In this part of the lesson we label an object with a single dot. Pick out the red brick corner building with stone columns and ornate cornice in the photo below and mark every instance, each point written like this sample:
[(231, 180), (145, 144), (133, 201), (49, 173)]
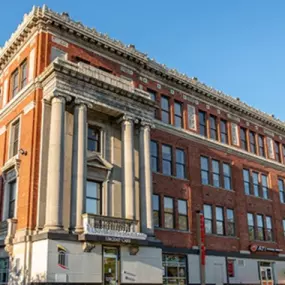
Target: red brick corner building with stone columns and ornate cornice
[(107, 156)]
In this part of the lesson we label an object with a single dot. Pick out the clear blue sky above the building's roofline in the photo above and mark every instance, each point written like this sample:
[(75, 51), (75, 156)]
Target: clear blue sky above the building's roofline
[(237, 46)]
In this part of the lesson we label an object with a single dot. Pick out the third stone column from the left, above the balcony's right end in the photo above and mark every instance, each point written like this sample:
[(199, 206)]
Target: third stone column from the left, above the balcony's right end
[(128, 167)]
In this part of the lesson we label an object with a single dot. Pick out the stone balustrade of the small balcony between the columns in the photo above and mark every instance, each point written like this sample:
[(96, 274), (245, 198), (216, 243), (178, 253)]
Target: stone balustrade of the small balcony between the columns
[(111, 226)]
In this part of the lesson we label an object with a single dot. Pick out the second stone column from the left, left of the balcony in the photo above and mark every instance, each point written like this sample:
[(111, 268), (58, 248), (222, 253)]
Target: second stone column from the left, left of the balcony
[(79, 168)]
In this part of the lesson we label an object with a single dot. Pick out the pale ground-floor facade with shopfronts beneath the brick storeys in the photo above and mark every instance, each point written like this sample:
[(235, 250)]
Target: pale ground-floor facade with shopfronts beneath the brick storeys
[(120, 261)]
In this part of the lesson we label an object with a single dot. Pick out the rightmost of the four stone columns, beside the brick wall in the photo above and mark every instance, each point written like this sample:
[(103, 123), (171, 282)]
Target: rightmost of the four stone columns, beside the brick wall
[(145, 180)]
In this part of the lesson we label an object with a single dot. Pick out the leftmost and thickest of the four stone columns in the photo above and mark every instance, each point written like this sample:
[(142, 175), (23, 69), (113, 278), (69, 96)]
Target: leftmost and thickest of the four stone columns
[(54, 200)]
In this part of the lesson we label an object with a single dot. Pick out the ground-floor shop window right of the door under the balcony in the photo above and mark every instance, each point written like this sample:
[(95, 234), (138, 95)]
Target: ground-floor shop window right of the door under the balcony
[(175, 269)]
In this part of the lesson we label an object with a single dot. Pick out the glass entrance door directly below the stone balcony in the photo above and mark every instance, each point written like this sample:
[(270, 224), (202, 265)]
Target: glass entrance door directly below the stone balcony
[(110, 265)]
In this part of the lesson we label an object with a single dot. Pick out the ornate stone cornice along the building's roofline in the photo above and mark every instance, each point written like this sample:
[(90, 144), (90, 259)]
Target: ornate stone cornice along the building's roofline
[(128, 52)]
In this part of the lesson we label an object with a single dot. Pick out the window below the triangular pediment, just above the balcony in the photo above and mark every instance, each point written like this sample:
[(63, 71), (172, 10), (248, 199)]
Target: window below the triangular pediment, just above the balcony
[(93, 197)]
